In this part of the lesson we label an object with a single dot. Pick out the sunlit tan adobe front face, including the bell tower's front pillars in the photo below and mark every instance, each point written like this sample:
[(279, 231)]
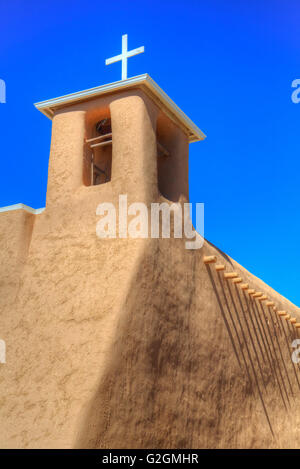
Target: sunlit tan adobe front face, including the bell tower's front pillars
[(63, 288)]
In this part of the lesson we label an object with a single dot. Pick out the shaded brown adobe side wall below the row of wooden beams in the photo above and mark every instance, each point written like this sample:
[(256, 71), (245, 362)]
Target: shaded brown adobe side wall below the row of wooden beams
[(172, 379)]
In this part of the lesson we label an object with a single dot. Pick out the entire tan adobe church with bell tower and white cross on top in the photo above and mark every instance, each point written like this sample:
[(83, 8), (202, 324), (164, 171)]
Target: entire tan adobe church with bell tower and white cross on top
[(134, 343)]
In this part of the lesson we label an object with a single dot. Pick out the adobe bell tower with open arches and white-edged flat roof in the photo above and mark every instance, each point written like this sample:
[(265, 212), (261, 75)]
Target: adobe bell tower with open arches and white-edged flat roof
[(128, 134)]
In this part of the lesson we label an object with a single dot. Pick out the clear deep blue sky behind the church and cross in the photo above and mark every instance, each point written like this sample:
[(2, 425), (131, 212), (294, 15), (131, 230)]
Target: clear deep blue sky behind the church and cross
[(228, 64)]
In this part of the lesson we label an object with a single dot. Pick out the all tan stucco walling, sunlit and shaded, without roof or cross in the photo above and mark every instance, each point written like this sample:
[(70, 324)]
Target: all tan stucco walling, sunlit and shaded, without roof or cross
[(120, 342)]
